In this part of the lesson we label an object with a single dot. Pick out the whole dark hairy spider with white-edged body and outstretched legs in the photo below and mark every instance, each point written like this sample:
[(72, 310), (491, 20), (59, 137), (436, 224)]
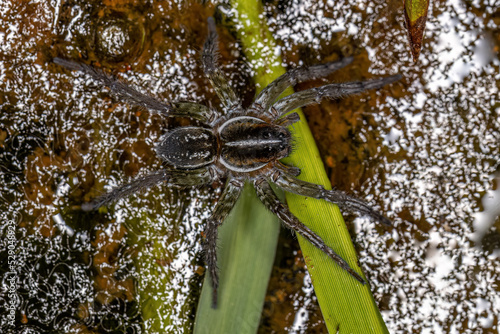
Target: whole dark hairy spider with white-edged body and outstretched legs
[(238, 145)]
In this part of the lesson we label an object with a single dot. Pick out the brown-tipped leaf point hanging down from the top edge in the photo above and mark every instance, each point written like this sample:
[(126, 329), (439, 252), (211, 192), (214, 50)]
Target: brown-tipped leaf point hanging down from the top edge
[(415, 13)]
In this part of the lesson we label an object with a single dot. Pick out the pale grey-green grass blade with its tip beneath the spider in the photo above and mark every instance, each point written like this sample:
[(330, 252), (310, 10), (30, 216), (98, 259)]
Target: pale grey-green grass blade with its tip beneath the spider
[(247, 247)]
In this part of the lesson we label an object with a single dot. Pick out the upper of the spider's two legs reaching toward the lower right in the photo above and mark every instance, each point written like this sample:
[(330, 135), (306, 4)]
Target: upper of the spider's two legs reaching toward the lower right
[(344, 201)]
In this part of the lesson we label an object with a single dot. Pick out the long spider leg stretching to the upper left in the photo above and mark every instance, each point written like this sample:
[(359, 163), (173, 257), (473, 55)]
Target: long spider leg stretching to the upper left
[(134, 97)]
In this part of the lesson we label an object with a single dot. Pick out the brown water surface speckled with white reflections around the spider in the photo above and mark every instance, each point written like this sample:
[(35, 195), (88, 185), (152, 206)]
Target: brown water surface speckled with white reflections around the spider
[(426, 151)]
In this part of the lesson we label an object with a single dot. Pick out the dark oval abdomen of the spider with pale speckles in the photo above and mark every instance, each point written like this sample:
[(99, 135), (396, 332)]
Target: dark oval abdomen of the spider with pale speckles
[(188, 147)]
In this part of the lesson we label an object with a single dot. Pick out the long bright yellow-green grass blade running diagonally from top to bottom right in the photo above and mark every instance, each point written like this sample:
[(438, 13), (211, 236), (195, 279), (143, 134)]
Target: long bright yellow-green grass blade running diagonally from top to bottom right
[(347, 306)]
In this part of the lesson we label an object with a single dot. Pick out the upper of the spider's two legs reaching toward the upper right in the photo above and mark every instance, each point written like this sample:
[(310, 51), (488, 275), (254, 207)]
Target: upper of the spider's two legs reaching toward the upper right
[(268, 95)]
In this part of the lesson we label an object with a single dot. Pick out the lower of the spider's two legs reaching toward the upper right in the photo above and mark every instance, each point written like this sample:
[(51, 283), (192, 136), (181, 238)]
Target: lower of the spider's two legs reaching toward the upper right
[(332, 91)]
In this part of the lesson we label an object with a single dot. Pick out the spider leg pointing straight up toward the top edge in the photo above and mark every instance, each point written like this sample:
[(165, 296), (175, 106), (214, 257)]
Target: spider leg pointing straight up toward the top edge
[(209, 58)]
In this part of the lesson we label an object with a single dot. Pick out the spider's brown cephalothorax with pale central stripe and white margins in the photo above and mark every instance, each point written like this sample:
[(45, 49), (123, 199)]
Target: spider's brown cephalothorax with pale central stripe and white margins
[(249, 143)]
